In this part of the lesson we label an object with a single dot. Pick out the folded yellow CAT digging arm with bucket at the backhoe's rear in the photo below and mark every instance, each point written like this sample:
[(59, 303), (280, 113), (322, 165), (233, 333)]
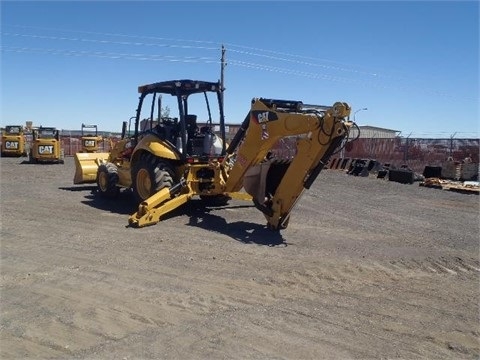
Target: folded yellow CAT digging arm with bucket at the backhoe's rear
[(276, 183)]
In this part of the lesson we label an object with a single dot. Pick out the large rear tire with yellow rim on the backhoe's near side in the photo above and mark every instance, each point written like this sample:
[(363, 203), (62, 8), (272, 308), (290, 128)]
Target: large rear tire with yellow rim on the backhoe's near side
[(150, 175)]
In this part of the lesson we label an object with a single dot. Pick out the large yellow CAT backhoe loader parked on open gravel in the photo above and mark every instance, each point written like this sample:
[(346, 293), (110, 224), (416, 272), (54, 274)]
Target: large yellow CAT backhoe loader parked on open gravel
[(169, 160)]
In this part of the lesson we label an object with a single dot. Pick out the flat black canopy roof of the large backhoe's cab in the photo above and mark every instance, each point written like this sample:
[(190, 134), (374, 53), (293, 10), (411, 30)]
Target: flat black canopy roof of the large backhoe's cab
[(184, 87)]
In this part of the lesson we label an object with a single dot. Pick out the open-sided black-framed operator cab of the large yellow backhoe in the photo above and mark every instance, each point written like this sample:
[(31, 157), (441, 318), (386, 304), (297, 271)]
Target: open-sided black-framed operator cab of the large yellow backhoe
[(190, 103)]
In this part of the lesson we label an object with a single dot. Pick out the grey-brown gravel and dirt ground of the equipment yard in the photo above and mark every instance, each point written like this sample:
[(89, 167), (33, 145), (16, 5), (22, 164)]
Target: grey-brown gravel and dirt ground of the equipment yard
[(367, 269)]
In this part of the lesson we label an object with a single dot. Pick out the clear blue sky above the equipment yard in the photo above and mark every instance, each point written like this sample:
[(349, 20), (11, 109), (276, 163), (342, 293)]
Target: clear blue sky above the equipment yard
[(413, 65)]
